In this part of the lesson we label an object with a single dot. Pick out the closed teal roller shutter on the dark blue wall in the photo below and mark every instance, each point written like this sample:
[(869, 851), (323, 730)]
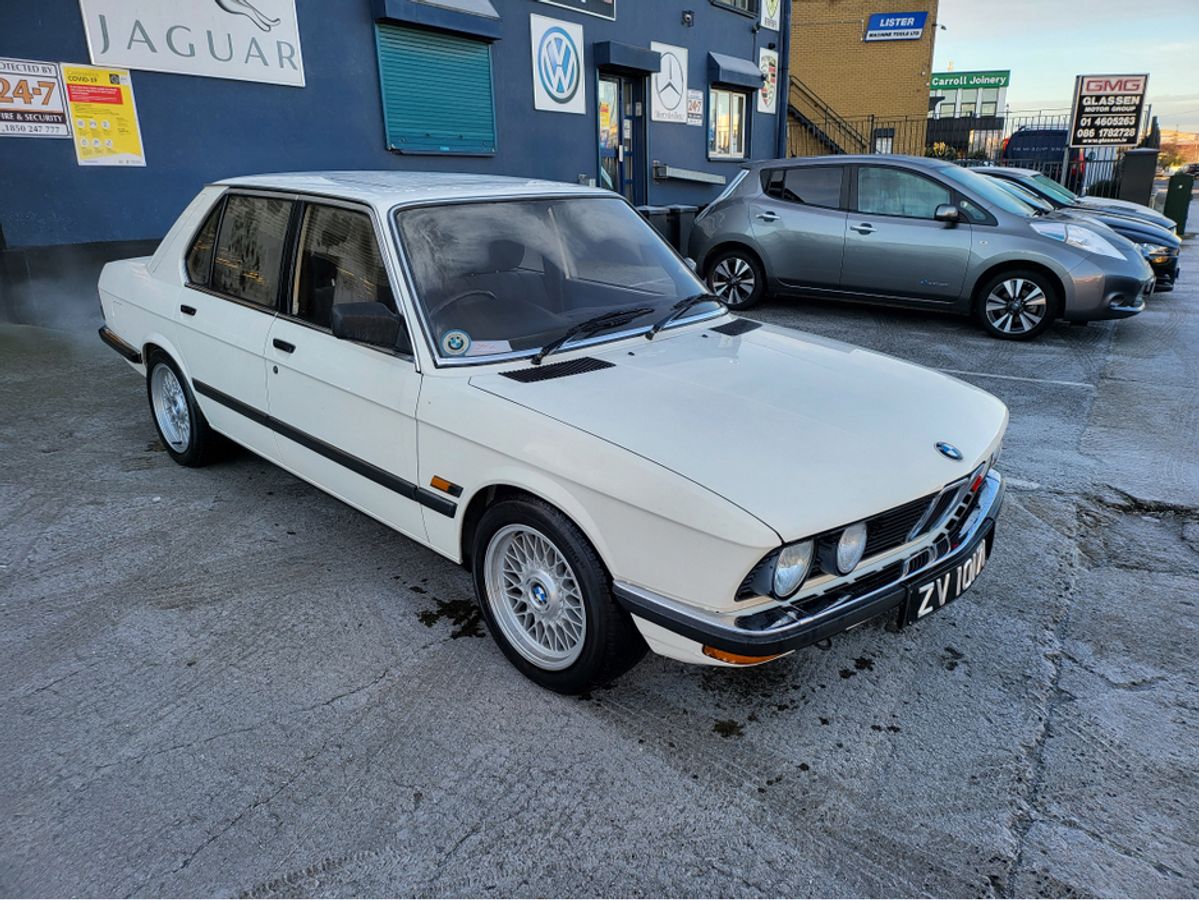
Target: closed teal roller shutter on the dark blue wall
[(437, 92)]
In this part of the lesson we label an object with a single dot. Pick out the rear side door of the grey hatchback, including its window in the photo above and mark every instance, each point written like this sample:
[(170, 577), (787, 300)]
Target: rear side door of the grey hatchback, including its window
[(799, 221)]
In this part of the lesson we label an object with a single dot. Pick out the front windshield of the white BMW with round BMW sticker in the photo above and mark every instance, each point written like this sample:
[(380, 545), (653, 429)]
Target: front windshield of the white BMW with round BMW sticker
[(513, 276)]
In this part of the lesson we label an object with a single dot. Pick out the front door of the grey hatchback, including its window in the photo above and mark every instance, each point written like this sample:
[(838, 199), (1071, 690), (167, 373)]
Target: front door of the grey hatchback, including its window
[(895, 246)]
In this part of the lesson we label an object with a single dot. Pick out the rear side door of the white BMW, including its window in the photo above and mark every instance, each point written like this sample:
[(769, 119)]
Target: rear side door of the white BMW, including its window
[(226, 309)]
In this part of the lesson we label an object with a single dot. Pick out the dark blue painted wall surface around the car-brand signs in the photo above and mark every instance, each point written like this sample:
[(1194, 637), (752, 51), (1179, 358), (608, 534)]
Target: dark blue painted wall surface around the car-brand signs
[(198, 130)]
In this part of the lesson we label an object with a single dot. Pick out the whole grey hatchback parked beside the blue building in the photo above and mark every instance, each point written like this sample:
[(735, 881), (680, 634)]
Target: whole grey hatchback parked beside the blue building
[(911, 232)]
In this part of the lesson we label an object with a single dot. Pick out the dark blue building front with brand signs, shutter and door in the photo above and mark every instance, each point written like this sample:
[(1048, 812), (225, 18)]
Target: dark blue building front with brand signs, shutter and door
[(660, 101)]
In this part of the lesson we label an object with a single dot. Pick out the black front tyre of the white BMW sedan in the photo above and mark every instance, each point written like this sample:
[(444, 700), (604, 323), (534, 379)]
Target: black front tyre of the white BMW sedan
[(611, 643)]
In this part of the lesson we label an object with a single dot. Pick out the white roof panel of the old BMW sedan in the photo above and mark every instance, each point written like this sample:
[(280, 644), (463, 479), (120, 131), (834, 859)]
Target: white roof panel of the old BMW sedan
[(390, 188)]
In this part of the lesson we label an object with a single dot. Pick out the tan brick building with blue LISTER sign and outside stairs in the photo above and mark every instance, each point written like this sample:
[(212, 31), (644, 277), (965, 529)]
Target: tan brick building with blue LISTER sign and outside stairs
[(860, 76)]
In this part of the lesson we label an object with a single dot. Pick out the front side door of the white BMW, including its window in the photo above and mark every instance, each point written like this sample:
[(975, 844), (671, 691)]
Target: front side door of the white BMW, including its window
[(345, 413)]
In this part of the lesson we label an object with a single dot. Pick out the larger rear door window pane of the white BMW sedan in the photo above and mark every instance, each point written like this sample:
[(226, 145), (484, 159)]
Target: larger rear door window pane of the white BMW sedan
[(251, 249)]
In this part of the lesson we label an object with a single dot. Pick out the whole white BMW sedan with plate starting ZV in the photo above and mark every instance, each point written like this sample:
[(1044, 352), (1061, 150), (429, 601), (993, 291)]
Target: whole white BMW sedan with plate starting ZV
[(525, 377)]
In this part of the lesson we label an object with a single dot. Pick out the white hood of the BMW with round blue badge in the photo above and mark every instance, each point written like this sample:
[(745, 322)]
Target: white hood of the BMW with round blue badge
[(804, 433)]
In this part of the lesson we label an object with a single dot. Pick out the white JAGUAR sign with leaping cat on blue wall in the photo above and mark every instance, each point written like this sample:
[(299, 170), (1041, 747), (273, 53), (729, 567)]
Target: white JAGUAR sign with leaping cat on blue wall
[(245, 40)]
